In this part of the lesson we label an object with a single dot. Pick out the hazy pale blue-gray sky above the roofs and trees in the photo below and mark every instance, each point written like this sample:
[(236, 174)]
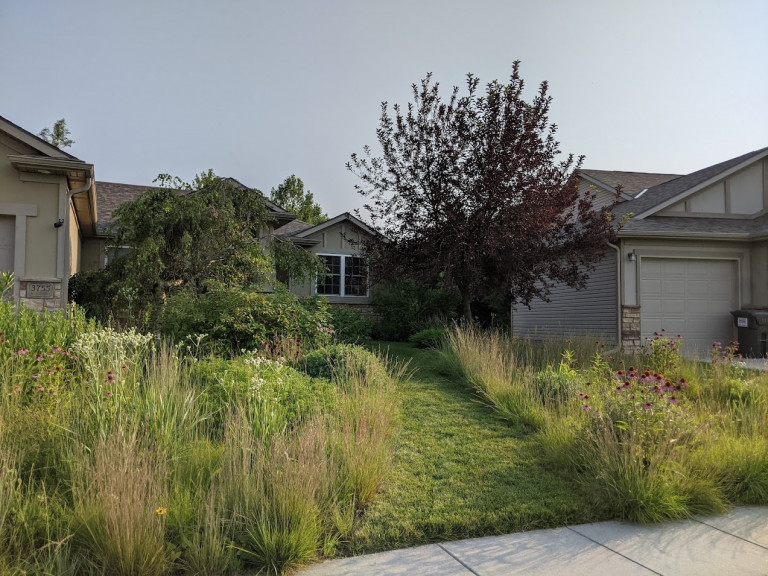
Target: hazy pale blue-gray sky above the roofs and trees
[(259, 90)]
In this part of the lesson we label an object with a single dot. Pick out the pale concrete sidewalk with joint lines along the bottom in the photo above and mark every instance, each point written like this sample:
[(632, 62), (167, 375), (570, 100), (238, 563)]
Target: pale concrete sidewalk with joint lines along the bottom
[(735, 543)]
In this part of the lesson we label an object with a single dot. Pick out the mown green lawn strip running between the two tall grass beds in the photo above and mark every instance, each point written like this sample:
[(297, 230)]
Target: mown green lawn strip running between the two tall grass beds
[(459, 470)]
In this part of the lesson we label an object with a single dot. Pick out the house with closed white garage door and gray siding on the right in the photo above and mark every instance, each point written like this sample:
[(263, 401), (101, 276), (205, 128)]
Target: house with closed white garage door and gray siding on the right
[(693, 248)]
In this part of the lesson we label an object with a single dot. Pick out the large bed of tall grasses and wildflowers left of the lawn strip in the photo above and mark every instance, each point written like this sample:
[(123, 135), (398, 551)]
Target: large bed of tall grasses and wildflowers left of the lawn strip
[(121, 455)]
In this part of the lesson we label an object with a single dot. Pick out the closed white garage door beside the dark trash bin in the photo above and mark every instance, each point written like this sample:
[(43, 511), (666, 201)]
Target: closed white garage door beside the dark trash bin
[(691, 297)]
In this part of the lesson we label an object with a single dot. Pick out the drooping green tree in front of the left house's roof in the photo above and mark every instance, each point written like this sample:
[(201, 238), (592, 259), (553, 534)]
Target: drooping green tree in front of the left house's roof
[(212, 233)]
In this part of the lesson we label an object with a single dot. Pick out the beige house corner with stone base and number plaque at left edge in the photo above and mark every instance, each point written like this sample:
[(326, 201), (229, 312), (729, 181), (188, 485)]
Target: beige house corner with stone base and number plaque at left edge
[(48, 207)]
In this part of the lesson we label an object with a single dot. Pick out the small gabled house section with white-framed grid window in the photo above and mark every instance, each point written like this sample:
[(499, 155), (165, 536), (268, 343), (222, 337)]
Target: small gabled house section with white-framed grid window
[(338, 242)]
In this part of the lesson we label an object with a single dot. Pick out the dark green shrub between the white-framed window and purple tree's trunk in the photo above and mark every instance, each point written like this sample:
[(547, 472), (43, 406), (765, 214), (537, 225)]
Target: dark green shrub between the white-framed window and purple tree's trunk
[(404, 307)]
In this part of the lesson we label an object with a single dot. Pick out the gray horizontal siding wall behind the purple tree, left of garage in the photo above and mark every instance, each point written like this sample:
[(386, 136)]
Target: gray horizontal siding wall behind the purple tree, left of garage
[(591, 311)]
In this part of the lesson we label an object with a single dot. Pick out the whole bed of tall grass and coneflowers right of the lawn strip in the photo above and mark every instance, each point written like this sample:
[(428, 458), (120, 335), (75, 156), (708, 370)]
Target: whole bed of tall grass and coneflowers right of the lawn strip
[(642, 445)]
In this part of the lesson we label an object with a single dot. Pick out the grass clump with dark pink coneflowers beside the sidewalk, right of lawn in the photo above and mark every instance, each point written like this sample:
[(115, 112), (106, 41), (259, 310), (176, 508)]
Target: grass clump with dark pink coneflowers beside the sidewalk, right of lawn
[(628, 441)]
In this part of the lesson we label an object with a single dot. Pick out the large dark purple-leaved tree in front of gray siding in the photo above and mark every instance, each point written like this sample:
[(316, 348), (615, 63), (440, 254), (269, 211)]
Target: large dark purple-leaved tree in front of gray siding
[(471, 192)]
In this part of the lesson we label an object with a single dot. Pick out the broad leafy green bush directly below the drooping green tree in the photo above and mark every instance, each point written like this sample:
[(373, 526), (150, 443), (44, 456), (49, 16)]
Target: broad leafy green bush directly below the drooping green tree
[(236, 320)]
